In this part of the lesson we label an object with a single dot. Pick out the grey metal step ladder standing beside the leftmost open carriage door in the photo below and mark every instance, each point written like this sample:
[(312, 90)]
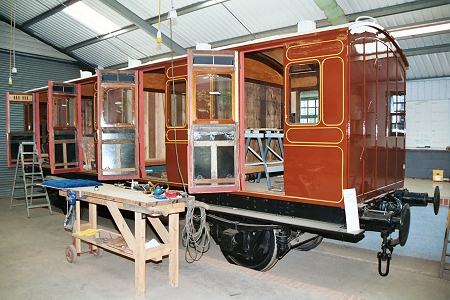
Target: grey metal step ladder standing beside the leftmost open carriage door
[(34, 194)]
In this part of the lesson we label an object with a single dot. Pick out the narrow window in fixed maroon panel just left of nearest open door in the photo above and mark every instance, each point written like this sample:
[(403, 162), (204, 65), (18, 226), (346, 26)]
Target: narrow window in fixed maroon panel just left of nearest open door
[(176, 104)]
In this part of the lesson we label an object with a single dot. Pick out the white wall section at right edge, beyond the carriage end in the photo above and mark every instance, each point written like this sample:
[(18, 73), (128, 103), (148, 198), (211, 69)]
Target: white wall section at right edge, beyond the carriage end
[(428, 113)]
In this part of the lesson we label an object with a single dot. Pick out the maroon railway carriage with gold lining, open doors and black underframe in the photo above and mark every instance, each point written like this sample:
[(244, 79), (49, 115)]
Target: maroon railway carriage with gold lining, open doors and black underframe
[(268, 133)]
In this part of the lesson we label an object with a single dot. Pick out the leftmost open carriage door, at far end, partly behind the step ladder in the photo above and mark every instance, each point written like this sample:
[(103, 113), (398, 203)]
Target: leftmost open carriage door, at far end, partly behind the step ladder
[(19, 129)]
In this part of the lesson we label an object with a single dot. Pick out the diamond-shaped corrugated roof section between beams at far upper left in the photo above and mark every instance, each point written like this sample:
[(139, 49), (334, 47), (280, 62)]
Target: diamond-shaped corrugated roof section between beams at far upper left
[(62, 30)]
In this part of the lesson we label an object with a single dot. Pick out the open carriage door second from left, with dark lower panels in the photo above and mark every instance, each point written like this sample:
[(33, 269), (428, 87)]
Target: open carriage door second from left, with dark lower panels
[(64, 128)]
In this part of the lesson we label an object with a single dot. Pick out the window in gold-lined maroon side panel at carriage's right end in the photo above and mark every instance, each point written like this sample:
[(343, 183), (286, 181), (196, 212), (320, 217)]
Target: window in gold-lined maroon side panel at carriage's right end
[(304, 106)]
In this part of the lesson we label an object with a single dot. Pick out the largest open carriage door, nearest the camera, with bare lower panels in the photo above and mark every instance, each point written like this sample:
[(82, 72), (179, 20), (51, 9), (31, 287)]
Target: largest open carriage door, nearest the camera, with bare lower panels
[(213, 128)]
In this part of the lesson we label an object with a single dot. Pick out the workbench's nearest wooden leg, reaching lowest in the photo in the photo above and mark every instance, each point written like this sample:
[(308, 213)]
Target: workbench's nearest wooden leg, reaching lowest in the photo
[(139, 253)]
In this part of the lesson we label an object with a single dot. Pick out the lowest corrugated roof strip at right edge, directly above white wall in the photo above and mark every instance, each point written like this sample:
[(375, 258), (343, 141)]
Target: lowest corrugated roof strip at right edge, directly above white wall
[(429, 65)]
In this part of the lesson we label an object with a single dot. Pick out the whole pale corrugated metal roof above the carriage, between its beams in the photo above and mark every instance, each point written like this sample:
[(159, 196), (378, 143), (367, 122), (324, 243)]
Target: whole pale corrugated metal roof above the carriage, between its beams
[(219, 22)]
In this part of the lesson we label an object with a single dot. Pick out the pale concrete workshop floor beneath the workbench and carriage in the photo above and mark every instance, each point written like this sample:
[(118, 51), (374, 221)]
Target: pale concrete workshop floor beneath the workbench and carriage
[(33, 266)]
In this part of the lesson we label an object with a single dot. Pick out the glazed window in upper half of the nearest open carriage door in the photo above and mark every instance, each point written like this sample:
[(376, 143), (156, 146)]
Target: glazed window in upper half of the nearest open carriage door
[(213, 97)]
